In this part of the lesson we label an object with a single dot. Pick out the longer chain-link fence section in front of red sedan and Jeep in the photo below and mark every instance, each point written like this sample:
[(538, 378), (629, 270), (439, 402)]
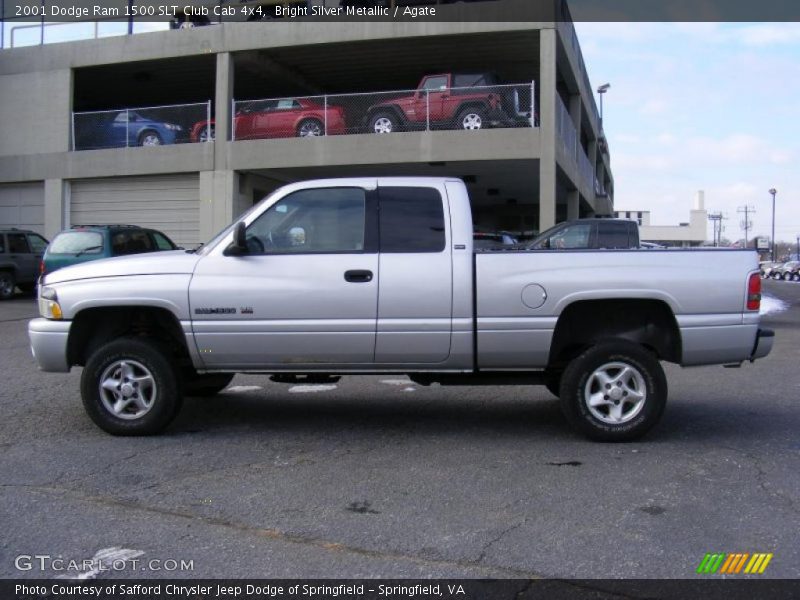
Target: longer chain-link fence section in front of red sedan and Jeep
[(469, 108)]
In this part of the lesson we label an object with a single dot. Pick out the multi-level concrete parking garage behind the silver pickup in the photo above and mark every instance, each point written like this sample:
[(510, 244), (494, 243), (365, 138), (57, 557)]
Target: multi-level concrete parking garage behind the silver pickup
[(54, 97)]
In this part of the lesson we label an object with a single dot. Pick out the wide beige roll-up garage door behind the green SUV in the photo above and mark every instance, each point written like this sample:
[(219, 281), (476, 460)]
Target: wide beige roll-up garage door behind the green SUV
[(169, 203)]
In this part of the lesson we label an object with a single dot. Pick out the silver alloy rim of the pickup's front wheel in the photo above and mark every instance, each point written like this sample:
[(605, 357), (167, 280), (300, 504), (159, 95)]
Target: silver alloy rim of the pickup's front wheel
[(127, 389)]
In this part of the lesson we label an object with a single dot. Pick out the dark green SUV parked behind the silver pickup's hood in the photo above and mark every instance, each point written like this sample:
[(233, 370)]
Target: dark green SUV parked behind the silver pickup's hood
[(84, 243)]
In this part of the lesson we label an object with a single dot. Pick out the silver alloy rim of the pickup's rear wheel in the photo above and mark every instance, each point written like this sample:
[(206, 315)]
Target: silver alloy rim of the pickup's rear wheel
[(615, 393)]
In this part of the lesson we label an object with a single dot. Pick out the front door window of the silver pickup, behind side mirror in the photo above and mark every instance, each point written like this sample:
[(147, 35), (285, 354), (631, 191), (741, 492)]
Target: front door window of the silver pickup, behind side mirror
[(325, 220)]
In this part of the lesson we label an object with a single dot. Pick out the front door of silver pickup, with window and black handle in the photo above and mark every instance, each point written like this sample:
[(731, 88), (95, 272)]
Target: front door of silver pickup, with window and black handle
[(305, 295)]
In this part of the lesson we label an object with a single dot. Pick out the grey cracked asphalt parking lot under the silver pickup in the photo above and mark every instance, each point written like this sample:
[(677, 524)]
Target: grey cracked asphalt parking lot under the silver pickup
[(383, 478)]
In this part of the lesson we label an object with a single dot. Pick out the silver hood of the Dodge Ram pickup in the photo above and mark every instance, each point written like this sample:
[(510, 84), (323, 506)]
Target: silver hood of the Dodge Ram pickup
[(152, 263)]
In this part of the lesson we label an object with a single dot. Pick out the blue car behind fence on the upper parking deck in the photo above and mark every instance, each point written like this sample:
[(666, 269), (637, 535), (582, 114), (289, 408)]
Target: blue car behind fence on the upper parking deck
[(126, 128)]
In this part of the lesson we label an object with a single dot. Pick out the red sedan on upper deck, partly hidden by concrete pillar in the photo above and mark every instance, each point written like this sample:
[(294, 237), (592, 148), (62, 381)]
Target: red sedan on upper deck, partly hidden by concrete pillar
[(287, 117)]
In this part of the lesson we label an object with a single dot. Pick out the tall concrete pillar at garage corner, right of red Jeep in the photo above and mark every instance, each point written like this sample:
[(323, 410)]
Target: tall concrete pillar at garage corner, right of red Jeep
[(547, 128)]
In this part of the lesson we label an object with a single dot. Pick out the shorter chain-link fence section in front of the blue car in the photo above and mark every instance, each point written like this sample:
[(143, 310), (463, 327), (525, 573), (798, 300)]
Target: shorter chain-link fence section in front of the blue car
[(145, 126)]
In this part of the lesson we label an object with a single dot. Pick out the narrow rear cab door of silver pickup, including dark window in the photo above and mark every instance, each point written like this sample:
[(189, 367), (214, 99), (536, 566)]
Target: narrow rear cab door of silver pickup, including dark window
[(415, 301)]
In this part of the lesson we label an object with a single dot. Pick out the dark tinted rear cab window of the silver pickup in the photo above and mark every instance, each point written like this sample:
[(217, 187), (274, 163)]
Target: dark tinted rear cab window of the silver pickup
[(411, 220)]
